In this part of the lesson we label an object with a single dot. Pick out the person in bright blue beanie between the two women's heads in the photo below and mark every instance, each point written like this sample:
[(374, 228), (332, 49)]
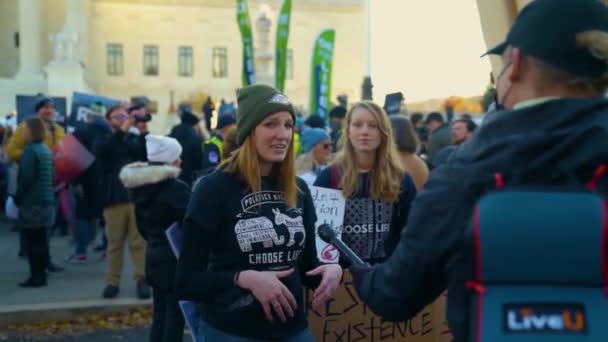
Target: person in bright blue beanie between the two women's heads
[(318, 150)]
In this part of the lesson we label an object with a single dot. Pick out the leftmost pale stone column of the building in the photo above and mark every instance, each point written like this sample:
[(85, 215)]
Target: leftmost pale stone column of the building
[(30, 49)]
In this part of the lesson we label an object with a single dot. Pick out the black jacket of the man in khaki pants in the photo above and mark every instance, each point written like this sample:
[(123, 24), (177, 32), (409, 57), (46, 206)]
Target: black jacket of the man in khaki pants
[(112, 152)]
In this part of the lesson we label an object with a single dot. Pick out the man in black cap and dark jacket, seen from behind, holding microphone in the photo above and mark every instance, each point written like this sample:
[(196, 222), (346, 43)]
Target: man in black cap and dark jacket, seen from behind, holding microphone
[(550, 134)]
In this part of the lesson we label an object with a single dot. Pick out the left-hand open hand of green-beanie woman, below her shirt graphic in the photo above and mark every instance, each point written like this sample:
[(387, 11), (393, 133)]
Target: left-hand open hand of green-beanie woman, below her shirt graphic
[(268, 289)]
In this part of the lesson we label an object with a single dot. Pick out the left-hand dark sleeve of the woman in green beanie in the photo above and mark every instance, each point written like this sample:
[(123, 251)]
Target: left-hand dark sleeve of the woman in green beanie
[(193, 280)]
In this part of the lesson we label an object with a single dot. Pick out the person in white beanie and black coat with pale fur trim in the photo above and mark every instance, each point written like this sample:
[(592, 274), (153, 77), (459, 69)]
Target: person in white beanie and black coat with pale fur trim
[(160, 200)]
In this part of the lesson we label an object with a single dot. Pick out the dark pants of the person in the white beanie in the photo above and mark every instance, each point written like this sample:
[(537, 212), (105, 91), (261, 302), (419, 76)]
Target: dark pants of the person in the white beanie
[(168, 321)]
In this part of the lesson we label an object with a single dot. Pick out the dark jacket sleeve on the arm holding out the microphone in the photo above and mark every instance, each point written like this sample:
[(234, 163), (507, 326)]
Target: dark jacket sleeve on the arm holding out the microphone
[(413, 276)]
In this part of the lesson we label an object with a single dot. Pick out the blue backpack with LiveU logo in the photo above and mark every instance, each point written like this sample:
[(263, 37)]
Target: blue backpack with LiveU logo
[(538, 265)]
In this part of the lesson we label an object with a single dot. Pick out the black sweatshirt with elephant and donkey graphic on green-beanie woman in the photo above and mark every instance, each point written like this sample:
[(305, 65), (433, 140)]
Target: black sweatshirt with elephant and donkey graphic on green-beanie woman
[(229, 229)]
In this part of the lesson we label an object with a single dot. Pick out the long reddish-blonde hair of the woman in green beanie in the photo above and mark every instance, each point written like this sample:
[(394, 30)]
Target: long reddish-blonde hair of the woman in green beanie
[(245, 164)]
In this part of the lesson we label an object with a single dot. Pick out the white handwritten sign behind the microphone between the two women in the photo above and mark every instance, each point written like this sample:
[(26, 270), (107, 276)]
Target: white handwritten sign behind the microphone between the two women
[(329, 205)]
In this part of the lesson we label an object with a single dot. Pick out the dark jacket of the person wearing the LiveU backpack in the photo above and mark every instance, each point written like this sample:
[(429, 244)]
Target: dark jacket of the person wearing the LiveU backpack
[(548, 144)]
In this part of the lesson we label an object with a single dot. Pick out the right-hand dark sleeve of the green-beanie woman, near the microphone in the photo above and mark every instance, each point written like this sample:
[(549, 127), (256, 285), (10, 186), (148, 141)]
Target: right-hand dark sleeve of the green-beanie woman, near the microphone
[(310, 260)]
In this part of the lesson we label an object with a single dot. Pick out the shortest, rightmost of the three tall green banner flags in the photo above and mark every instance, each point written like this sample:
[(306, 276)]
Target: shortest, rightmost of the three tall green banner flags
[(322, 62)]
